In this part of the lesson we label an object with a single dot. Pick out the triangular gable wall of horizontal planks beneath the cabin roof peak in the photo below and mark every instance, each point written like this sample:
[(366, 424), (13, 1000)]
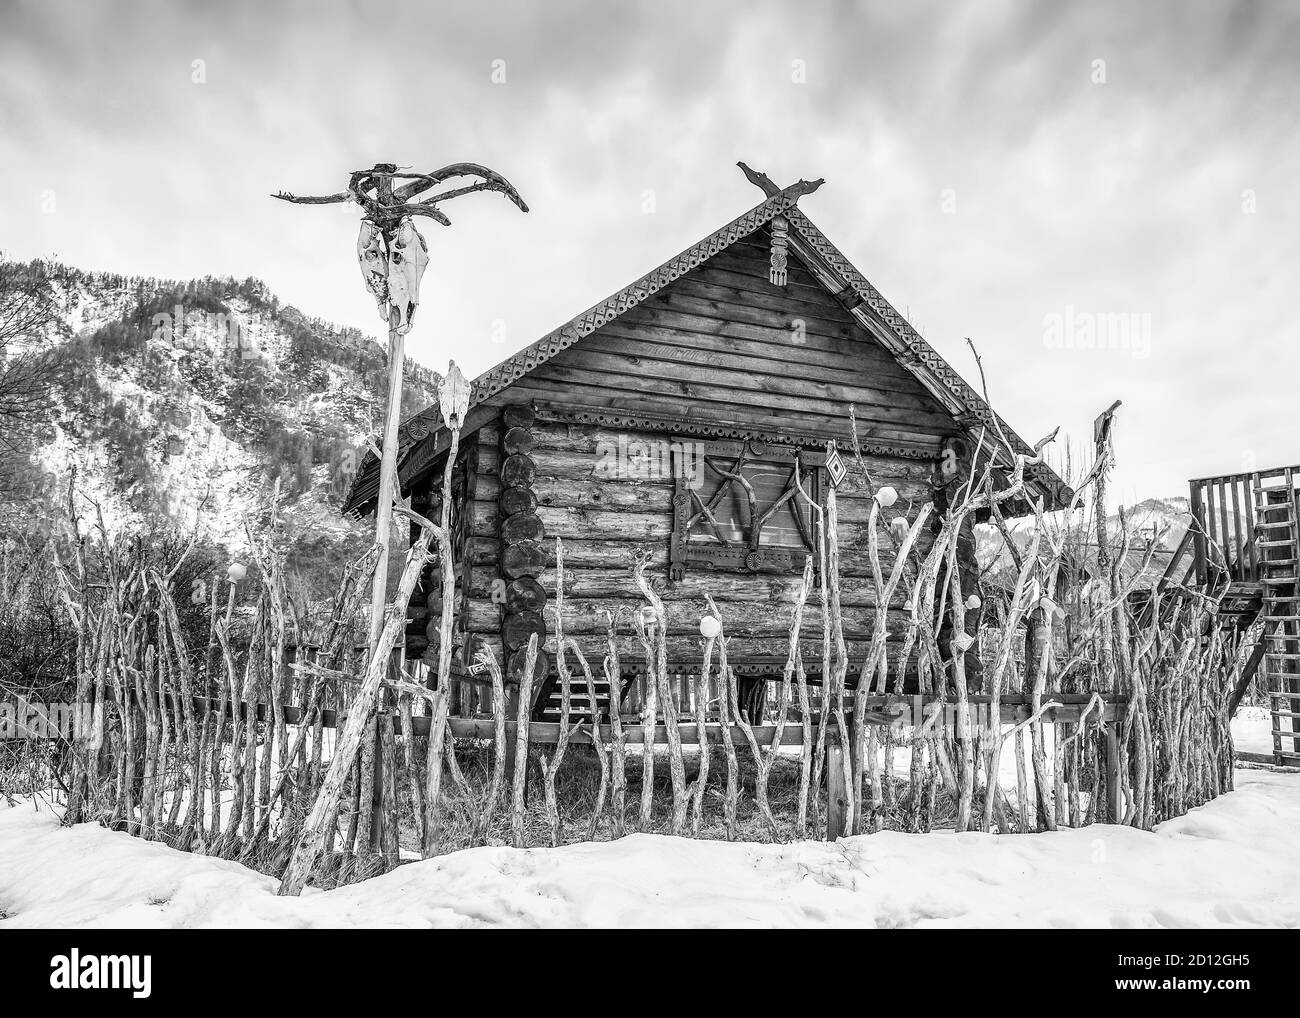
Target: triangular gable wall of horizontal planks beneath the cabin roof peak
[(725, 344)]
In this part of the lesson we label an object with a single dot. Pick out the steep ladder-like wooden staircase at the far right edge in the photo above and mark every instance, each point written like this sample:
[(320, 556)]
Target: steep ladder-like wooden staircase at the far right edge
[(1279, 543)]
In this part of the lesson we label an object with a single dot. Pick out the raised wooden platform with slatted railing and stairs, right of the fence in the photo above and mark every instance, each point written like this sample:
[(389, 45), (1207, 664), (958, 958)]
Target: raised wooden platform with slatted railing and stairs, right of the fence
[(1243, 536)]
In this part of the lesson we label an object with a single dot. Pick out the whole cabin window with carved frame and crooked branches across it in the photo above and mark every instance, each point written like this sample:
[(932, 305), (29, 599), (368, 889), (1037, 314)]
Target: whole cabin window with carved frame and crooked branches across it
[(738, 508)]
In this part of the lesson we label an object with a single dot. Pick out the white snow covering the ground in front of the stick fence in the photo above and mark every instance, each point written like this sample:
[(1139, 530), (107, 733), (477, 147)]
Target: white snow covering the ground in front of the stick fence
[(1234, 863)]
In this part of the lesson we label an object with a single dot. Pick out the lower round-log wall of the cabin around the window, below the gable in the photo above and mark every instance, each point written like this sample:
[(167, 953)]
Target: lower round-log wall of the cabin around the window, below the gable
[(606, 522)]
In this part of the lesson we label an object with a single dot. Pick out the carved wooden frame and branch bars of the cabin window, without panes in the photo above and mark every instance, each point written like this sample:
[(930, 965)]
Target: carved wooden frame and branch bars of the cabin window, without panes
[(748, 555)]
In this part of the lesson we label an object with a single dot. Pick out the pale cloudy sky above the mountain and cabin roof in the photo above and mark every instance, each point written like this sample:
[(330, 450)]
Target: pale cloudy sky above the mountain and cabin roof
[(1000, 171)]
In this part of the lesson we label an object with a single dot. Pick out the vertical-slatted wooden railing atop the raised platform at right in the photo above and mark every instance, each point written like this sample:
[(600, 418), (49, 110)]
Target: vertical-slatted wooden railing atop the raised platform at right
[(1224, 512)]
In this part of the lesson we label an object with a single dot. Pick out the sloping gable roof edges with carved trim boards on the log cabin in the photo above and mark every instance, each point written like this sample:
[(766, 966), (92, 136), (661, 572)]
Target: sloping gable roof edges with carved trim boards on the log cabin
[(827, 265)]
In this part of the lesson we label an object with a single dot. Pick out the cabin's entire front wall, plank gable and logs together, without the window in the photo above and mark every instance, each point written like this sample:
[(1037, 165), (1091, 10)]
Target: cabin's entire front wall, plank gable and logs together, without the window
[(720, 354)]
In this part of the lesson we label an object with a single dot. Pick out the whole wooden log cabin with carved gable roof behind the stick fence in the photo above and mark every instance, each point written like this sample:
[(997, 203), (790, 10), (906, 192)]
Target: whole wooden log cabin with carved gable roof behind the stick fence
[(673, 421)]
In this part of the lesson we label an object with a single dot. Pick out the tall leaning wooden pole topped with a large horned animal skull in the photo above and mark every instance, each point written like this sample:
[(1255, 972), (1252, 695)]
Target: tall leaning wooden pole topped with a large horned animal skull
[(393, 258)]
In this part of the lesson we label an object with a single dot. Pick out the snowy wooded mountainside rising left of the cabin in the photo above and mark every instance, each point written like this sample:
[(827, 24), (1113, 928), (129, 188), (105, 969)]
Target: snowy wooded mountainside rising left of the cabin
[(189, 401)]
